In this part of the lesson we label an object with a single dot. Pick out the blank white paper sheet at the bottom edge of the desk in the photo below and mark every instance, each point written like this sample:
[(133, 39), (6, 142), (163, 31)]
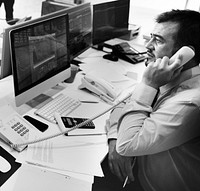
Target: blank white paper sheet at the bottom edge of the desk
[(35, 179)]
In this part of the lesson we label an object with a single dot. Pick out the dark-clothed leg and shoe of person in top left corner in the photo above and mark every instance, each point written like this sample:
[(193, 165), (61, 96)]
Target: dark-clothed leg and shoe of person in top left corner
[(8, 4)]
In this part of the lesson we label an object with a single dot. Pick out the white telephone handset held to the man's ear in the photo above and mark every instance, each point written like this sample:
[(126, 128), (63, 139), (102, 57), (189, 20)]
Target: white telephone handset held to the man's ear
[(187, 54)]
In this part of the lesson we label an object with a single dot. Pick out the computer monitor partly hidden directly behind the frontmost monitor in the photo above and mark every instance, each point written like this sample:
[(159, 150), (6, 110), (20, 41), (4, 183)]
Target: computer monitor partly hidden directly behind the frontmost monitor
[(80, 35)]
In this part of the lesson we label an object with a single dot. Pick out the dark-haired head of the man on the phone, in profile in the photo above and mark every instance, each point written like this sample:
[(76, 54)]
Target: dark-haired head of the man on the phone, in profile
[(173, 30)]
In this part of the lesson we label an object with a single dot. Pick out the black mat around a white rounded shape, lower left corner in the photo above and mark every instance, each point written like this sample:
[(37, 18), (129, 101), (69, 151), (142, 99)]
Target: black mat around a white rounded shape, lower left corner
[(14, 166)]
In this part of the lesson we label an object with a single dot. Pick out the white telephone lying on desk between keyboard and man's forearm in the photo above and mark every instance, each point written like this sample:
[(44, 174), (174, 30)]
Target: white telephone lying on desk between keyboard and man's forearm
[(100, 87)]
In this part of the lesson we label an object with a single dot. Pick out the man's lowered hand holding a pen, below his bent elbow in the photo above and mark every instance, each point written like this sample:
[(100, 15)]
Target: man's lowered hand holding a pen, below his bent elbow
[(119, 165)]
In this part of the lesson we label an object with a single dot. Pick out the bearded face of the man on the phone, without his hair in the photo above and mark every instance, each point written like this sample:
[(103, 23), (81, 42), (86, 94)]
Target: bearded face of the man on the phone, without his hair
[(162, 42)]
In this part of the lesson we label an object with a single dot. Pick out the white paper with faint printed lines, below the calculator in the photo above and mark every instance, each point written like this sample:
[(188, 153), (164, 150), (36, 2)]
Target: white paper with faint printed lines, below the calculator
[(64, 154)]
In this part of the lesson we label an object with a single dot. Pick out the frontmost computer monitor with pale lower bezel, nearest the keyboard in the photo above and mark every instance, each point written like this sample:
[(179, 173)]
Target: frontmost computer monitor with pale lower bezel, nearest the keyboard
[(40, 57)]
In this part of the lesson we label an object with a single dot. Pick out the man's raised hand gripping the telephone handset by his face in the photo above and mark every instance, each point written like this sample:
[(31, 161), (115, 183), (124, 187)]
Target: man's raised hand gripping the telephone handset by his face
[(159, 73)]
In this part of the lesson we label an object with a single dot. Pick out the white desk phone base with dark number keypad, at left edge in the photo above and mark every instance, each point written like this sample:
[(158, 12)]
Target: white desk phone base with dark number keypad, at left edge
[(13, 128)]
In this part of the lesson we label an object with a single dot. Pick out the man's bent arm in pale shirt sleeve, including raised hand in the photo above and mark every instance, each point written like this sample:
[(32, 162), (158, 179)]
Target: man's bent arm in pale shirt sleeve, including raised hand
[(143, 131)]
